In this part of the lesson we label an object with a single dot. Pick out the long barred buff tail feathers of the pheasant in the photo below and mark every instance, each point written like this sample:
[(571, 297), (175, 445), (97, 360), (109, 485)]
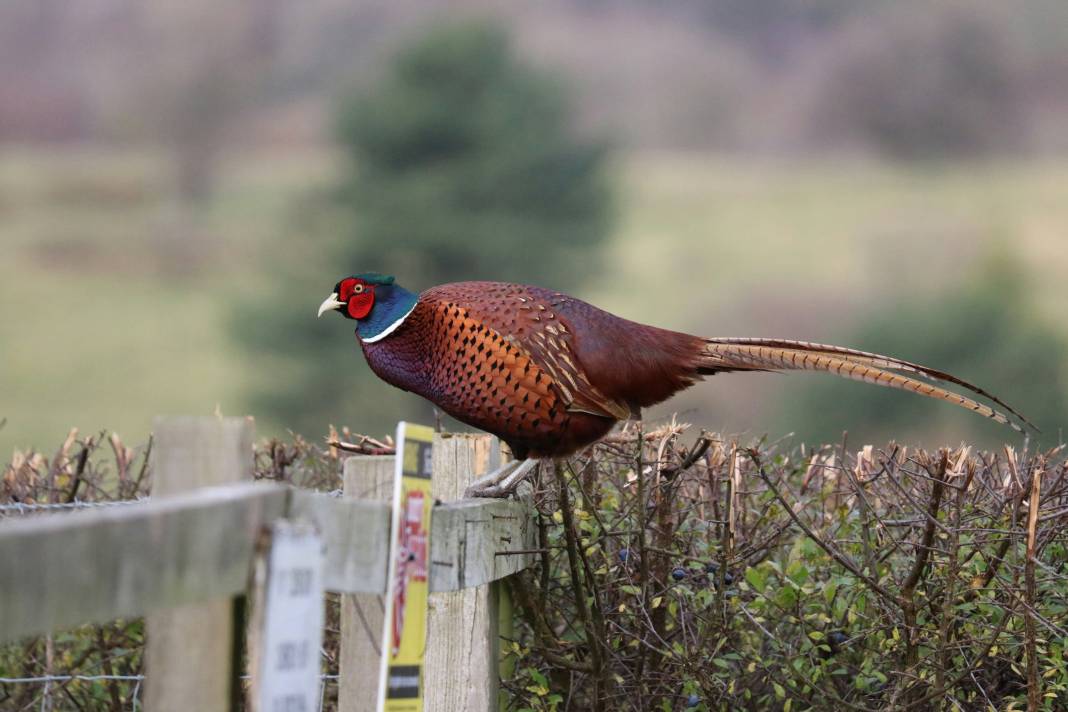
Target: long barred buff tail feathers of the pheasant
[(787, 355)]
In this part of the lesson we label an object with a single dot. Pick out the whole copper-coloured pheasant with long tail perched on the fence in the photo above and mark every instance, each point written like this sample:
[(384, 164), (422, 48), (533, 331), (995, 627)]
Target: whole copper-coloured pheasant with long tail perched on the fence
[(551, 374)]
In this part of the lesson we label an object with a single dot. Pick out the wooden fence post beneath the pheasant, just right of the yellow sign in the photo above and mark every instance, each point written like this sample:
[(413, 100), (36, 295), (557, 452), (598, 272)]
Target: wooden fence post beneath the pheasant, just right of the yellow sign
[(462, 639)]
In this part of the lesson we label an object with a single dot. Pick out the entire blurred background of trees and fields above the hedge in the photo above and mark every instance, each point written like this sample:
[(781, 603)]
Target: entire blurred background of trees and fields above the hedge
[(181, 184)]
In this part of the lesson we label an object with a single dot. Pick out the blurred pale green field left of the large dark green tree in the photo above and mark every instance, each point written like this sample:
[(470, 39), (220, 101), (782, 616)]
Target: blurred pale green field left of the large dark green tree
[(125, 324)]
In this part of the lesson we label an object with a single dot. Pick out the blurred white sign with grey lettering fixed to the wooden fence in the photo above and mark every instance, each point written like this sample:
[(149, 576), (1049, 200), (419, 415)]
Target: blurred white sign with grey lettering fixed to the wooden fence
[(291, 623)]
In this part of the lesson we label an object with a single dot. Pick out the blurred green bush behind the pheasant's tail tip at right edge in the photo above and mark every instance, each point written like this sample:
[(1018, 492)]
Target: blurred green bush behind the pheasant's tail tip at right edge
[(985, 331)]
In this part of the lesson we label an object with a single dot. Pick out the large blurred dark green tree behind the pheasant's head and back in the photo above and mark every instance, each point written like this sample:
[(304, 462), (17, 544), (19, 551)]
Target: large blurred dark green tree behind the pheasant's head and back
[(462, 167)]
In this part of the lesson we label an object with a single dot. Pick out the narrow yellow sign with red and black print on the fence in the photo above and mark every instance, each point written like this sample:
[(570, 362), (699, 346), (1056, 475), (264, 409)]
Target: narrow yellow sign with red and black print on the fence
[(404, 639)]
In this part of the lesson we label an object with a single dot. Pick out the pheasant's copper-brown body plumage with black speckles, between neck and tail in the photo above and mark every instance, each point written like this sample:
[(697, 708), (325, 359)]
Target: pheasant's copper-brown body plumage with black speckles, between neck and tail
[(502, 358)]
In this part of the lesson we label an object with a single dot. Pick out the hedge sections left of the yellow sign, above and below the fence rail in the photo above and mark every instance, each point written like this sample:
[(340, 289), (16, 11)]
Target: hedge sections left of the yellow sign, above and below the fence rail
[(100, 668)]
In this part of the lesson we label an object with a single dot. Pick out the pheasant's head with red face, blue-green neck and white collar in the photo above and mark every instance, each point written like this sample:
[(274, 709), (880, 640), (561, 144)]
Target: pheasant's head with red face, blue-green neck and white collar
[(374, 302)]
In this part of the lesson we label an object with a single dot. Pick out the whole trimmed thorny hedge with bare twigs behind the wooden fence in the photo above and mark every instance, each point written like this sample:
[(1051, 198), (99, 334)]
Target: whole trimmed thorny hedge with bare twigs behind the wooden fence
[(720, 576)]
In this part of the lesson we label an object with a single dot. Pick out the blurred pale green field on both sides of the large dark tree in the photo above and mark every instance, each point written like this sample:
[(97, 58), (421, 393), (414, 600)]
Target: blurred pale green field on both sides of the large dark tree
[(130, 296)]
